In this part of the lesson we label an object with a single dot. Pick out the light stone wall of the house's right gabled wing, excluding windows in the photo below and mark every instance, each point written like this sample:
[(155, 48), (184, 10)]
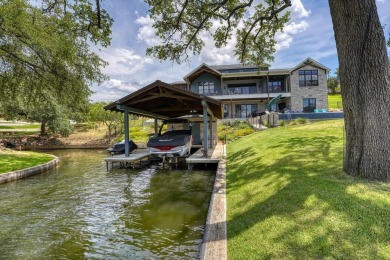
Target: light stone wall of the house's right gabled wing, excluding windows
[(320, 92)]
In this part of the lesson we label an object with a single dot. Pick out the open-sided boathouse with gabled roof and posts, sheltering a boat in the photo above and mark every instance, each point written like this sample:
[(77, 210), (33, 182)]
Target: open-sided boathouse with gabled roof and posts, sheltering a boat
[(162, 101)]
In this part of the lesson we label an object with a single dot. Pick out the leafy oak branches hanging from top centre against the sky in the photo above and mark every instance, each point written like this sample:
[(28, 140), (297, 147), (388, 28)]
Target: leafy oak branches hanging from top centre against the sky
[(180, 26)]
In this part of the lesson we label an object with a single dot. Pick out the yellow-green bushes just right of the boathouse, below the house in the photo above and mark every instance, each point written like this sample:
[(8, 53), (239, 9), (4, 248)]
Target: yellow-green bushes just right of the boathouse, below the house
[(233, 130)]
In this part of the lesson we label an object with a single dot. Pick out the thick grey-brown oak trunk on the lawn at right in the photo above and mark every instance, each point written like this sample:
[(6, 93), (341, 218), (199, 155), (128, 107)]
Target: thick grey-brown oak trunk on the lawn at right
[(365, 79)]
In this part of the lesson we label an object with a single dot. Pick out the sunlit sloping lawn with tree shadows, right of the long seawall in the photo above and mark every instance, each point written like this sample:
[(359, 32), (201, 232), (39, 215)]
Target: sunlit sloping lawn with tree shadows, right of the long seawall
[(288, 198)]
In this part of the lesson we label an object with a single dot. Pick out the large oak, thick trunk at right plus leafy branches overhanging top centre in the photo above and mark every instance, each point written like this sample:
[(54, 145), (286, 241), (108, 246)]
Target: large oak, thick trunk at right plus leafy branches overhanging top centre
[(364, 71)]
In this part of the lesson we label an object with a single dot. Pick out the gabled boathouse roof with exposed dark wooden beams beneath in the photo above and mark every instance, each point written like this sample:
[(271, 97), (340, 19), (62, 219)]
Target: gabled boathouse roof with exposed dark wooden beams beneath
[(161, 100)]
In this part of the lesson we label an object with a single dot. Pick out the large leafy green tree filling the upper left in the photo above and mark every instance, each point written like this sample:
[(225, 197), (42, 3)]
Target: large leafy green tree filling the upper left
[(46, 65)]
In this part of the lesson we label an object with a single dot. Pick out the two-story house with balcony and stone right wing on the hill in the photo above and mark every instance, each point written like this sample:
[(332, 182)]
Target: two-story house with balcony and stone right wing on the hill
[(246, 89)]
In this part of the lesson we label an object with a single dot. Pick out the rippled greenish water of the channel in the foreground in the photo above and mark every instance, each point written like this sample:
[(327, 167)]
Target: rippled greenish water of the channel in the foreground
[(80, 210)]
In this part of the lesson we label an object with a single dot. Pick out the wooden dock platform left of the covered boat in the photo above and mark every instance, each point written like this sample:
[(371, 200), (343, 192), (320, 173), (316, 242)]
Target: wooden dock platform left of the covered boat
[(135, 159)]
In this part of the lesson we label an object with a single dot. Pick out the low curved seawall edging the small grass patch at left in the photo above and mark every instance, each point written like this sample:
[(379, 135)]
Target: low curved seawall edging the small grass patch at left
[(24, 173)]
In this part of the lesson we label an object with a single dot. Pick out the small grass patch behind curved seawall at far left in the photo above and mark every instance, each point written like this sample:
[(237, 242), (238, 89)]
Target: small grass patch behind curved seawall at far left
[(14, 160)]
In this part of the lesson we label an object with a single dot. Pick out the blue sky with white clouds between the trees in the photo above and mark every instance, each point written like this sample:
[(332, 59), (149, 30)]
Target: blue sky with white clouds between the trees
[(309, 33)]
